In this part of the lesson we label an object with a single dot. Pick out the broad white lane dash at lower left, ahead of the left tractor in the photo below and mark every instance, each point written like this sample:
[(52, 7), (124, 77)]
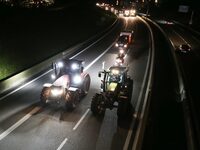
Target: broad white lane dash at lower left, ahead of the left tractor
[(18, 123)]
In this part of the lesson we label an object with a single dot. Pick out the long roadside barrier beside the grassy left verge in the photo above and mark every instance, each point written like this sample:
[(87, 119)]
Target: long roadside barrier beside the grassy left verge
[(20, 78)]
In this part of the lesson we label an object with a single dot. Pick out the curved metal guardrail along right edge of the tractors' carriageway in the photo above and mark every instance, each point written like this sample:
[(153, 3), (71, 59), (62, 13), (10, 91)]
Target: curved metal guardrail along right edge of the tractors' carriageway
[(144, 107)]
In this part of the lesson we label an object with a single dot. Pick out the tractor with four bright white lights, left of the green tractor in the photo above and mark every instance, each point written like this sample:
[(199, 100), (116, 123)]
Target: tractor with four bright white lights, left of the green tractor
[(70, 83)]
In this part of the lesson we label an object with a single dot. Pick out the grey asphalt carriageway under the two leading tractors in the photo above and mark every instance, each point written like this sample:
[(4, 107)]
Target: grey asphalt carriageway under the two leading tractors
[(53, 127)]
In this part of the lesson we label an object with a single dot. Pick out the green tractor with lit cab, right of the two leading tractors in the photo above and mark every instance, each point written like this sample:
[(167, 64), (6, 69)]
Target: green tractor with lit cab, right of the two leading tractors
[(117, 87)]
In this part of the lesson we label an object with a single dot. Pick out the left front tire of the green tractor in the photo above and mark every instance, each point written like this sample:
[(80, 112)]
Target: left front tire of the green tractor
[(98, 105)]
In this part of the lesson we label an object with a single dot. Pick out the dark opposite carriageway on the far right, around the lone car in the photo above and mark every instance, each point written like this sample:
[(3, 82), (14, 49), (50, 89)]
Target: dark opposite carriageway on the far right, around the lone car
[(189, 64)]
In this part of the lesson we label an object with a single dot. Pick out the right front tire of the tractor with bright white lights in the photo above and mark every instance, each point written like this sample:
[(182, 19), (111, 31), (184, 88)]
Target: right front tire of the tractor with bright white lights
[(71, 99)]
